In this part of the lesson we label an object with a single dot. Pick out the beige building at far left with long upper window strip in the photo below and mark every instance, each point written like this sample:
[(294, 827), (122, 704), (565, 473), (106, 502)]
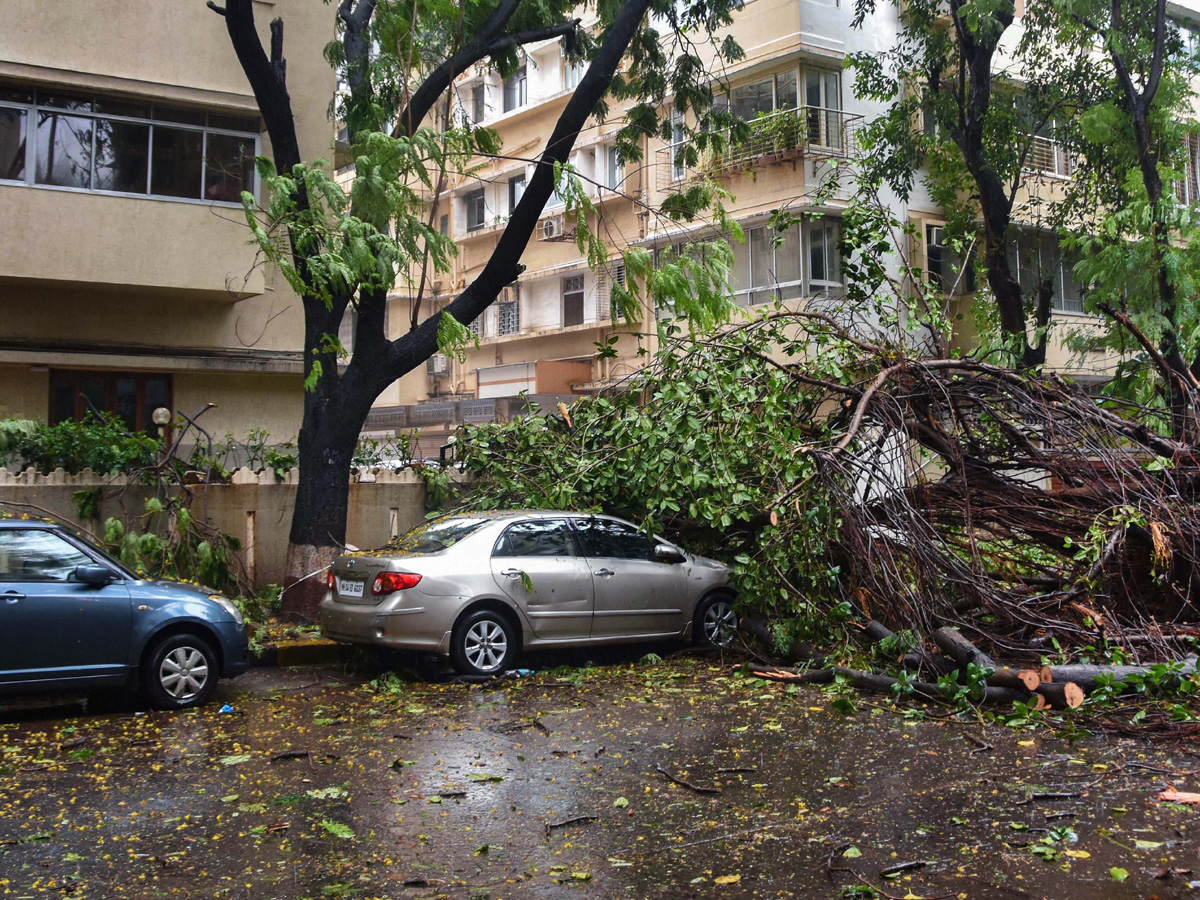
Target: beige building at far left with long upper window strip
[(128, 280)]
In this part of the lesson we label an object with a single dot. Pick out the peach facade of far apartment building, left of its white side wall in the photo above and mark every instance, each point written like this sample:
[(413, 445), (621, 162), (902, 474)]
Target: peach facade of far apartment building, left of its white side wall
[(539, 343)]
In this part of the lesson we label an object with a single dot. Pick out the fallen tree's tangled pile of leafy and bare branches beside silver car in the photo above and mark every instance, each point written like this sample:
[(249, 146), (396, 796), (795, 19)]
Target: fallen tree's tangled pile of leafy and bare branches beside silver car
[(853, 477)]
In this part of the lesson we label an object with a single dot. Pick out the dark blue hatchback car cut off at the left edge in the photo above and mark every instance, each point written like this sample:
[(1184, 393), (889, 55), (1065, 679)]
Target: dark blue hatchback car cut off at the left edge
[(73, 617)]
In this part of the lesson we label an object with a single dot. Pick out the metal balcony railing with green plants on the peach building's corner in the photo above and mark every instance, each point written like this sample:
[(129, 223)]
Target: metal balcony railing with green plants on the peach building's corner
[(814, 133)]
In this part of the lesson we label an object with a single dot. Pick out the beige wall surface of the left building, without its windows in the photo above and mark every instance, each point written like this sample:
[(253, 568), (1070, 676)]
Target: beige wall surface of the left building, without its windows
[(104, 281)]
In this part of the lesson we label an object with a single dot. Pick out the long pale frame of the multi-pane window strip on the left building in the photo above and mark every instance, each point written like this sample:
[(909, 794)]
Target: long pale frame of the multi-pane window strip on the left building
[(33, 109)]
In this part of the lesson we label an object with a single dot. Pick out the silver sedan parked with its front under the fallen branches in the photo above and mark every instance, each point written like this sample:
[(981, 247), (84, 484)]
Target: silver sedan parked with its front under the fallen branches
[(482, 587)]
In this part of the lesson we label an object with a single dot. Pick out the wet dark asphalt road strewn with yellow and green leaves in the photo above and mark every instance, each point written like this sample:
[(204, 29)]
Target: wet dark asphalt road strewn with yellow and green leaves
[(317, 787)]
